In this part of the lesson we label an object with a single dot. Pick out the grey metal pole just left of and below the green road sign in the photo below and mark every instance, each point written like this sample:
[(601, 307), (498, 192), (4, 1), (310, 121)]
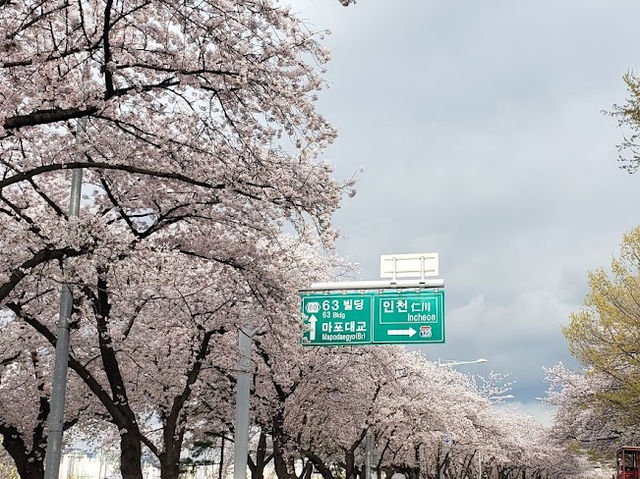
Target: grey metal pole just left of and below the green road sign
[(241, 439)]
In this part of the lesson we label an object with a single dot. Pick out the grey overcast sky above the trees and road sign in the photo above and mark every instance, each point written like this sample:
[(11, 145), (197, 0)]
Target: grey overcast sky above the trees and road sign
[(479, 125)]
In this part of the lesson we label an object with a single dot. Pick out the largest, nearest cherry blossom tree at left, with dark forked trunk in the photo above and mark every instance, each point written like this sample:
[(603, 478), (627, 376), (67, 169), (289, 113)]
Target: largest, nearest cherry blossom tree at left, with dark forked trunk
[(199, 142)]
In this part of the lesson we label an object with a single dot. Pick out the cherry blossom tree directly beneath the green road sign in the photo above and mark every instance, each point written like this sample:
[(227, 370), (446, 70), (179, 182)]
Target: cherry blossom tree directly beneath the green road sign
[(335, 408)]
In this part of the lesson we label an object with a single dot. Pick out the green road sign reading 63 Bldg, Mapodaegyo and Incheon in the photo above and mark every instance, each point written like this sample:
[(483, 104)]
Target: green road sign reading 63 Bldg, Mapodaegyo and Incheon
[(392, 317)]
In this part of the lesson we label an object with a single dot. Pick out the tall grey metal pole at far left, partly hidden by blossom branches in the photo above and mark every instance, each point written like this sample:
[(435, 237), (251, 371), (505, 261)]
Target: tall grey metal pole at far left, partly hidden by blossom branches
[(59, 385)]
